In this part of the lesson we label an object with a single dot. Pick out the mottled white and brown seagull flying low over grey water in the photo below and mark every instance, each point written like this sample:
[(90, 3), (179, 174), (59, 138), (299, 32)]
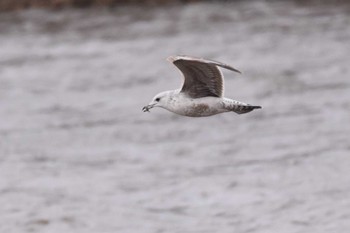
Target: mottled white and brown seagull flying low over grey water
[(201, 94)]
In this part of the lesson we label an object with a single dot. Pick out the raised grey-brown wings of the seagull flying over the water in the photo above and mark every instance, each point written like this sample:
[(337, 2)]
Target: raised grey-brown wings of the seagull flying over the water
[(201, 77)]
